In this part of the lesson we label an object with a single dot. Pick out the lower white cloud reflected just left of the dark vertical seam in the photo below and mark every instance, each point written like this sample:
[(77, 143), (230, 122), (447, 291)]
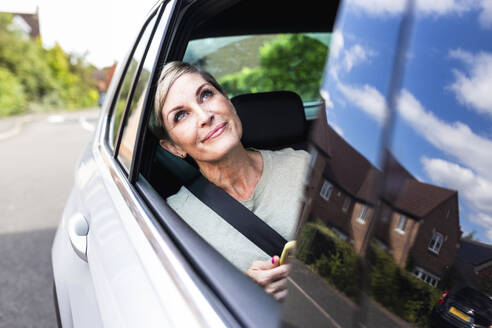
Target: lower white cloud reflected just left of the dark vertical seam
[(367, 98)]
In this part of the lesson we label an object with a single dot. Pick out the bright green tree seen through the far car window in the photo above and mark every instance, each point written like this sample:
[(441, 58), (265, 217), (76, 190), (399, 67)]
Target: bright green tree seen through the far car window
[(288, 62)]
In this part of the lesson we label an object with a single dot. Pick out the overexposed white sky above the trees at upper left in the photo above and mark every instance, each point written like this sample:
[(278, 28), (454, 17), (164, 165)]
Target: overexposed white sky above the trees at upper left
[(102, 29)]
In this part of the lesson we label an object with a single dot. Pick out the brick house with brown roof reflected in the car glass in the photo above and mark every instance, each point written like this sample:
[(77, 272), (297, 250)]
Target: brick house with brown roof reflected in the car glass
[(418, 223)]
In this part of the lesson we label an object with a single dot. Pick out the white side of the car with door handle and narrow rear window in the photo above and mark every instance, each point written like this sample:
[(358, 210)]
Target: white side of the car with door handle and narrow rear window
[(131, 286)]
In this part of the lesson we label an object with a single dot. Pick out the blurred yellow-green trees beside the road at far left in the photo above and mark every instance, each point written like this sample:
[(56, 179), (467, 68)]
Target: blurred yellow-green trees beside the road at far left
[(48, 78)]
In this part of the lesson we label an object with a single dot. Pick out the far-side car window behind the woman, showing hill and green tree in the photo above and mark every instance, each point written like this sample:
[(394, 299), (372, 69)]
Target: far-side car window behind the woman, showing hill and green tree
[(266, 62)]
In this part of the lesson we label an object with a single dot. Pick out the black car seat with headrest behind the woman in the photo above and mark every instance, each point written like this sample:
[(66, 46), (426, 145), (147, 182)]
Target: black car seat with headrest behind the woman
[(271, 120)]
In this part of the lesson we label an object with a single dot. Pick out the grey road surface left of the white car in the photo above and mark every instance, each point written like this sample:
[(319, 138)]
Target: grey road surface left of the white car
[(38, 156)]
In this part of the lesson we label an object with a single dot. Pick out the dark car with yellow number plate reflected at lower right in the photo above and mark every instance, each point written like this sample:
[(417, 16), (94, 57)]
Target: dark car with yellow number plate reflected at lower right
[(465, 307)]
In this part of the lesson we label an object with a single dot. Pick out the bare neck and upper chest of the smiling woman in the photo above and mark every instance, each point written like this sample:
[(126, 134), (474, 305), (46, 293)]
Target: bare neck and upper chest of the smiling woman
[(238, 173)]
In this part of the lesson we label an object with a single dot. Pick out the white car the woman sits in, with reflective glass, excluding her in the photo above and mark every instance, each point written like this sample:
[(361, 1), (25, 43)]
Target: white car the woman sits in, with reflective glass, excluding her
[(390, 189)]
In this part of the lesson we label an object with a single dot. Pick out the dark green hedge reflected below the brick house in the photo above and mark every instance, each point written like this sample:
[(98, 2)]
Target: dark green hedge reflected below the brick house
[(393, 287)]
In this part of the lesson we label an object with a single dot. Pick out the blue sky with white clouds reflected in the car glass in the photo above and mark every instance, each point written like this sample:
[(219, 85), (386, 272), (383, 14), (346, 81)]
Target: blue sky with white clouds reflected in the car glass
[(443, 125)]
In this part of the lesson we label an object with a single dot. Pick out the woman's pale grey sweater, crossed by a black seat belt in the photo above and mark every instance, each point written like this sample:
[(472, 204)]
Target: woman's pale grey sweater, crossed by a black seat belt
[(276, 200)]
